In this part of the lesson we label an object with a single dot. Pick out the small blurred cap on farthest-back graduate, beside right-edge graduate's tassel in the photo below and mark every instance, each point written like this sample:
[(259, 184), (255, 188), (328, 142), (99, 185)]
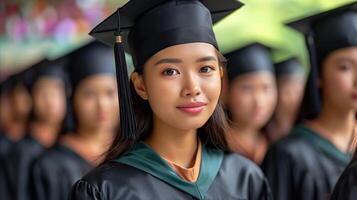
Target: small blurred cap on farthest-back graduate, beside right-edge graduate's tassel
[(290, 66)]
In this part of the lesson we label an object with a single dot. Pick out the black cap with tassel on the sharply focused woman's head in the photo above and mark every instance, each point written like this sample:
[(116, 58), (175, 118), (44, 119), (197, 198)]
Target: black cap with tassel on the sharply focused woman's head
[(149, 26)]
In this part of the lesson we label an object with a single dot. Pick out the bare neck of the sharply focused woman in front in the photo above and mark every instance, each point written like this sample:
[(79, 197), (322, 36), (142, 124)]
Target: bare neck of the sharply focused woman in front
[(178, 146)]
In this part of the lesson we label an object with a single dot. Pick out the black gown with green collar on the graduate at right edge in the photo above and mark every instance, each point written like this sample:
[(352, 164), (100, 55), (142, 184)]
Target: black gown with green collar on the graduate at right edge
[(303, 166)]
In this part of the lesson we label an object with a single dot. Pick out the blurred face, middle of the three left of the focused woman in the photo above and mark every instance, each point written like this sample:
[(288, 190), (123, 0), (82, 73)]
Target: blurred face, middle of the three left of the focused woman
[(49, 100)]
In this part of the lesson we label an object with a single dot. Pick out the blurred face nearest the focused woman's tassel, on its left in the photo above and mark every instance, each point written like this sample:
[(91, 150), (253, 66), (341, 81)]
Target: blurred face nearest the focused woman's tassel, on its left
[(96, 103)]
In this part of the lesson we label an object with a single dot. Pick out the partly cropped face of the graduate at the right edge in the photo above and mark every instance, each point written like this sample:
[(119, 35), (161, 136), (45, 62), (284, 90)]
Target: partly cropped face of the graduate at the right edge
[(339, 79)]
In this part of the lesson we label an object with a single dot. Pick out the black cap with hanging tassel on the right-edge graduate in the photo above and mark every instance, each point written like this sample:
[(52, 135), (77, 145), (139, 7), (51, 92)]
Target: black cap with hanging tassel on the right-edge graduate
[(324, 33)]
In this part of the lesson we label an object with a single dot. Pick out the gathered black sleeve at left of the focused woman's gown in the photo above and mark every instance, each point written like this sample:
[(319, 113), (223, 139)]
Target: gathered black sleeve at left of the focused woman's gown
[(82, 190)]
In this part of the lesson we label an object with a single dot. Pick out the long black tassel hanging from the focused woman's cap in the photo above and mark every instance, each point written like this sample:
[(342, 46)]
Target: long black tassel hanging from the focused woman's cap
[(127, 115)]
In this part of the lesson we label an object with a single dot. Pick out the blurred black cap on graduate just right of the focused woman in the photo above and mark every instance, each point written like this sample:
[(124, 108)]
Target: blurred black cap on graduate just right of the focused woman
[(251, 58)]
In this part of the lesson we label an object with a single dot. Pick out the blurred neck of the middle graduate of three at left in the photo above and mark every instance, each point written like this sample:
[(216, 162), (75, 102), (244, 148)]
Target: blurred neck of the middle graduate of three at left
[(44, 133)]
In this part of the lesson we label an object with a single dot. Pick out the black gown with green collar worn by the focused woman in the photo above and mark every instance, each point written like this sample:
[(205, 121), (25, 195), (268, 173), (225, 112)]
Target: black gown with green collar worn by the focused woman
[(143, 174)]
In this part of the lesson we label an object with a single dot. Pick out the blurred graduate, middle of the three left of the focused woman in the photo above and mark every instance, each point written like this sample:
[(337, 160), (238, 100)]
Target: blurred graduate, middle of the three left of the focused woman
[(48, 92)]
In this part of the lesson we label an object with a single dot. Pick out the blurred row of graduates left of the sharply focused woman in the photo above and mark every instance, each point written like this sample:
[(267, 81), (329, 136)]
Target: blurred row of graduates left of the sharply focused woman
[(66, 115)]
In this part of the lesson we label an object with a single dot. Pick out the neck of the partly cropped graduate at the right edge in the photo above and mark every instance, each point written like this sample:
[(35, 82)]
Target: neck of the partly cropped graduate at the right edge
[(337, 125)]
